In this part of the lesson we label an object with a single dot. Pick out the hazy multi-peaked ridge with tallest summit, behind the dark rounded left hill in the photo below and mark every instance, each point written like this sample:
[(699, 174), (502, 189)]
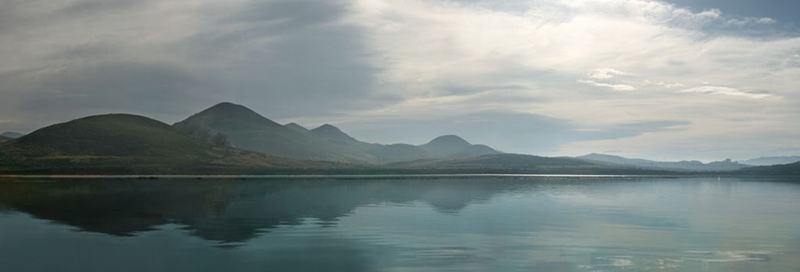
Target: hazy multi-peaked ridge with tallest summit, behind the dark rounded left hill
[(246, 129)]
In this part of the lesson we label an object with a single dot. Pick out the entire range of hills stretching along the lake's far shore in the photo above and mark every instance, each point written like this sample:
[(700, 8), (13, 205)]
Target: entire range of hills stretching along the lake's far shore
[(232, 139)]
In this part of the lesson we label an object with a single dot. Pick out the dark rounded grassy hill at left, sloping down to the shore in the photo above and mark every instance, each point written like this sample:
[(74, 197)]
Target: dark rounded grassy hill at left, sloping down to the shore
[(128, 144)]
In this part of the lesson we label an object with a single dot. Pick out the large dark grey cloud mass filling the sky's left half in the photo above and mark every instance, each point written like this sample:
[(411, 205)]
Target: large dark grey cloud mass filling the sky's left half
[(282, 58)]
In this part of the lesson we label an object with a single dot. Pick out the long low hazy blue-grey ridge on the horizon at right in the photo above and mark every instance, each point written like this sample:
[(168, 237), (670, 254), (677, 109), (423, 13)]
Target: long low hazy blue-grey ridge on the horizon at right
[(691, 166)]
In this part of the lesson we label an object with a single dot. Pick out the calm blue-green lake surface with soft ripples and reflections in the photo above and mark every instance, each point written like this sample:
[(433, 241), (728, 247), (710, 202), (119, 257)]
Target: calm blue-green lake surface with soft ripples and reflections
[(401, 224)]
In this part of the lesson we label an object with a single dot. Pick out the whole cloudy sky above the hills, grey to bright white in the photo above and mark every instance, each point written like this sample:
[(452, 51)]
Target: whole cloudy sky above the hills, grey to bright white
[(666, 80)]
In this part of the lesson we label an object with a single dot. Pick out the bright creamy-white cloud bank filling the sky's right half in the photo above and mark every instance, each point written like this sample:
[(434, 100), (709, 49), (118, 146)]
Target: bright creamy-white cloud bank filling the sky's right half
[(435, 46)]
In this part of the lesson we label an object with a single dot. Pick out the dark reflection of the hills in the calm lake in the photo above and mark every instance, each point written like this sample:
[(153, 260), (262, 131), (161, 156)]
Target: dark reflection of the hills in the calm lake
[(225, 210)]
